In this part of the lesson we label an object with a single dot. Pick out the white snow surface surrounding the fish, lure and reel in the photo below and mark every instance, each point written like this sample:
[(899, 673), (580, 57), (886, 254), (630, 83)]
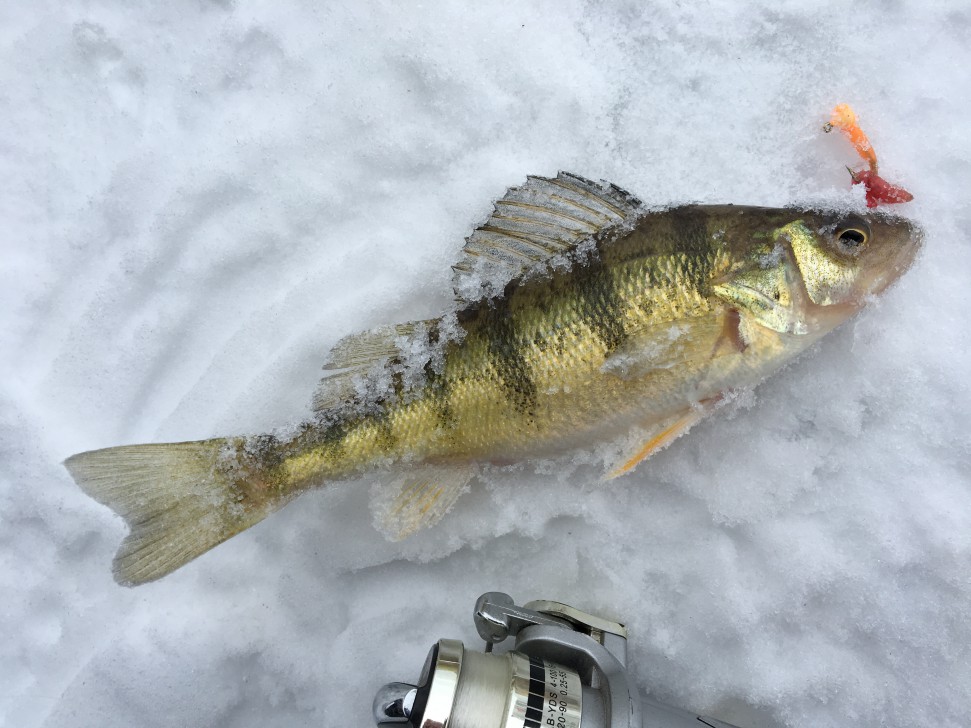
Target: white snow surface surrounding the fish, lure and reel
[(199, 198)]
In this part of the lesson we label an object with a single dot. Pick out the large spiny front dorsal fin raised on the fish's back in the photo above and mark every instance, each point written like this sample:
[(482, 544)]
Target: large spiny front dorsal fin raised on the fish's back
[(534, 223)]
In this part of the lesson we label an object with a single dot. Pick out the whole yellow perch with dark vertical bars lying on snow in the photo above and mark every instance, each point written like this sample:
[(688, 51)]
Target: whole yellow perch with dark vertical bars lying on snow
[(582, 315)]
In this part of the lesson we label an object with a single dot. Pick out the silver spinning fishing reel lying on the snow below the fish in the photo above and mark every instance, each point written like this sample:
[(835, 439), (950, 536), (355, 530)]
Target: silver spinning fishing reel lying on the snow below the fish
[(568, 669)]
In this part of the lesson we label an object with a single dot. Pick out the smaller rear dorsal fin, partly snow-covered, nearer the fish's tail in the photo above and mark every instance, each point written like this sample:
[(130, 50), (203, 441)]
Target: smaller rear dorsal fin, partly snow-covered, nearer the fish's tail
[(354, 356)]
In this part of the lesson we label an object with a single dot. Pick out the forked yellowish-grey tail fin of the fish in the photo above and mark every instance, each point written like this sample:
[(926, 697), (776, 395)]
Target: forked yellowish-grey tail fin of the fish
[(177, 499)]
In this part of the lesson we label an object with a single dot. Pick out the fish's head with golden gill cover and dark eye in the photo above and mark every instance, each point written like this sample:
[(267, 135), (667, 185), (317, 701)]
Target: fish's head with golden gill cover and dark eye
[(809, 271)]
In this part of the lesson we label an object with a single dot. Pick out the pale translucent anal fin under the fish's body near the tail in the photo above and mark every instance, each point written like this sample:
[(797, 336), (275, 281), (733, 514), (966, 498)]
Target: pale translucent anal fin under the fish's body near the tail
[(418, 498)]
